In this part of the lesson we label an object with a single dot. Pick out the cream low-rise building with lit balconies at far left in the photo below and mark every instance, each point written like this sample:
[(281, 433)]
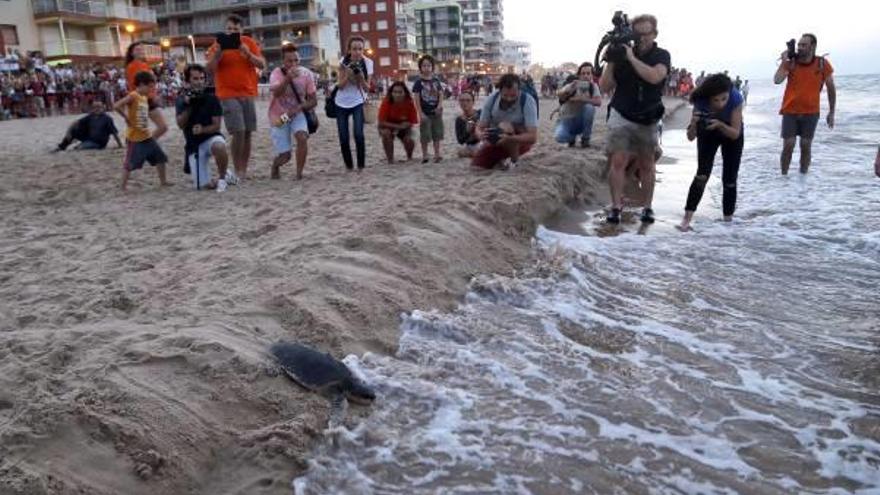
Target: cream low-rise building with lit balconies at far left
[(75, 30)]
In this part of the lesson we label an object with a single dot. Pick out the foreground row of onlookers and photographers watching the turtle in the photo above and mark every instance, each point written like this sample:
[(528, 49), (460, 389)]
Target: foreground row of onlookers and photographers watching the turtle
[(494, 136)]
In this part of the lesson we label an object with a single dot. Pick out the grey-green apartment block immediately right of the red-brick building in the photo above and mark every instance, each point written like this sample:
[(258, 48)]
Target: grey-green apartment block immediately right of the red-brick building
[(439, 33)]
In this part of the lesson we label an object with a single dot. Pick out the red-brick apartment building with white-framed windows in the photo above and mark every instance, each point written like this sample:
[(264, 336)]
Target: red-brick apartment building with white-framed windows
[(388, 26)]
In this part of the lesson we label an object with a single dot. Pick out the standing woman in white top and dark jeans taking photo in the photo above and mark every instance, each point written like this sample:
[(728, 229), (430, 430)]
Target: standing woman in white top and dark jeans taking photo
[(351, 96)]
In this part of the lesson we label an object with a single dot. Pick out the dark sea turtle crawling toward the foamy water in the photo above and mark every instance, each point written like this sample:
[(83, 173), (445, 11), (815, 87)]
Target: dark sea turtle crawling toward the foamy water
[(322, 373)]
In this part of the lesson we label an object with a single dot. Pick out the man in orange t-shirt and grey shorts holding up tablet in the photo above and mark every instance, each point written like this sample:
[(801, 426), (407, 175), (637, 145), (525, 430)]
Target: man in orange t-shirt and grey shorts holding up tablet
[(235, 83)]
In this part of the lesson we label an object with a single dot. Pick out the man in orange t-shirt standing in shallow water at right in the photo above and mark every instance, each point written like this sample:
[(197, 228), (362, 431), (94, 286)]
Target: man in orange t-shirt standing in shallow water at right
[(806, 75)]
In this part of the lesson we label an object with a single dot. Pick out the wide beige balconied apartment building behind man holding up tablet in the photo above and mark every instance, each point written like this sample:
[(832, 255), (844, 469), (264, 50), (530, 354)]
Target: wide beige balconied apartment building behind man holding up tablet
[(187, 27)]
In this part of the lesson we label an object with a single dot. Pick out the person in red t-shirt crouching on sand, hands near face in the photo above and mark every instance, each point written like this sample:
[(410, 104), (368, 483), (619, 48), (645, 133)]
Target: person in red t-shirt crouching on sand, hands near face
[(397, 117)]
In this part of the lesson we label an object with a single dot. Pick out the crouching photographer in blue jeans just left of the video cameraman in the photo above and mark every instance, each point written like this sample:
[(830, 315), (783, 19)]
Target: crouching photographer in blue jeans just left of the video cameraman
[(579, 99)]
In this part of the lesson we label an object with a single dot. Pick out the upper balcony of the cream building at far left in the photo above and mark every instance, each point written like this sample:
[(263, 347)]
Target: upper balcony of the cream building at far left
[(90, 11)]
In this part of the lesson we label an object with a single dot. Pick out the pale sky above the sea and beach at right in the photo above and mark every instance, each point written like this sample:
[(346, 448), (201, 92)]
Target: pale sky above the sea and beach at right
[(745, 37)]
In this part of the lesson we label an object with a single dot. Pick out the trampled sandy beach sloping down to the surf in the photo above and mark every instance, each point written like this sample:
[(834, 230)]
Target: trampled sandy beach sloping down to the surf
[(134, 327)]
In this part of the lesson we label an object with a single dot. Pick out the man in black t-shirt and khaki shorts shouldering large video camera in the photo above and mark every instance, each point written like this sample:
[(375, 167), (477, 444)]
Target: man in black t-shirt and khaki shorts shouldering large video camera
[(636, 77)]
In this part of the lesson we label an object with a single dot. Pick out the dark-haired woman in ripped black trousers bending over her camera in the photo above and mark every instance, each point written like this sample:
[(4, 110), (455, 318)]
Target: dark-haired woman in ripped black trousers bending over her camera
[(717, 122)]
